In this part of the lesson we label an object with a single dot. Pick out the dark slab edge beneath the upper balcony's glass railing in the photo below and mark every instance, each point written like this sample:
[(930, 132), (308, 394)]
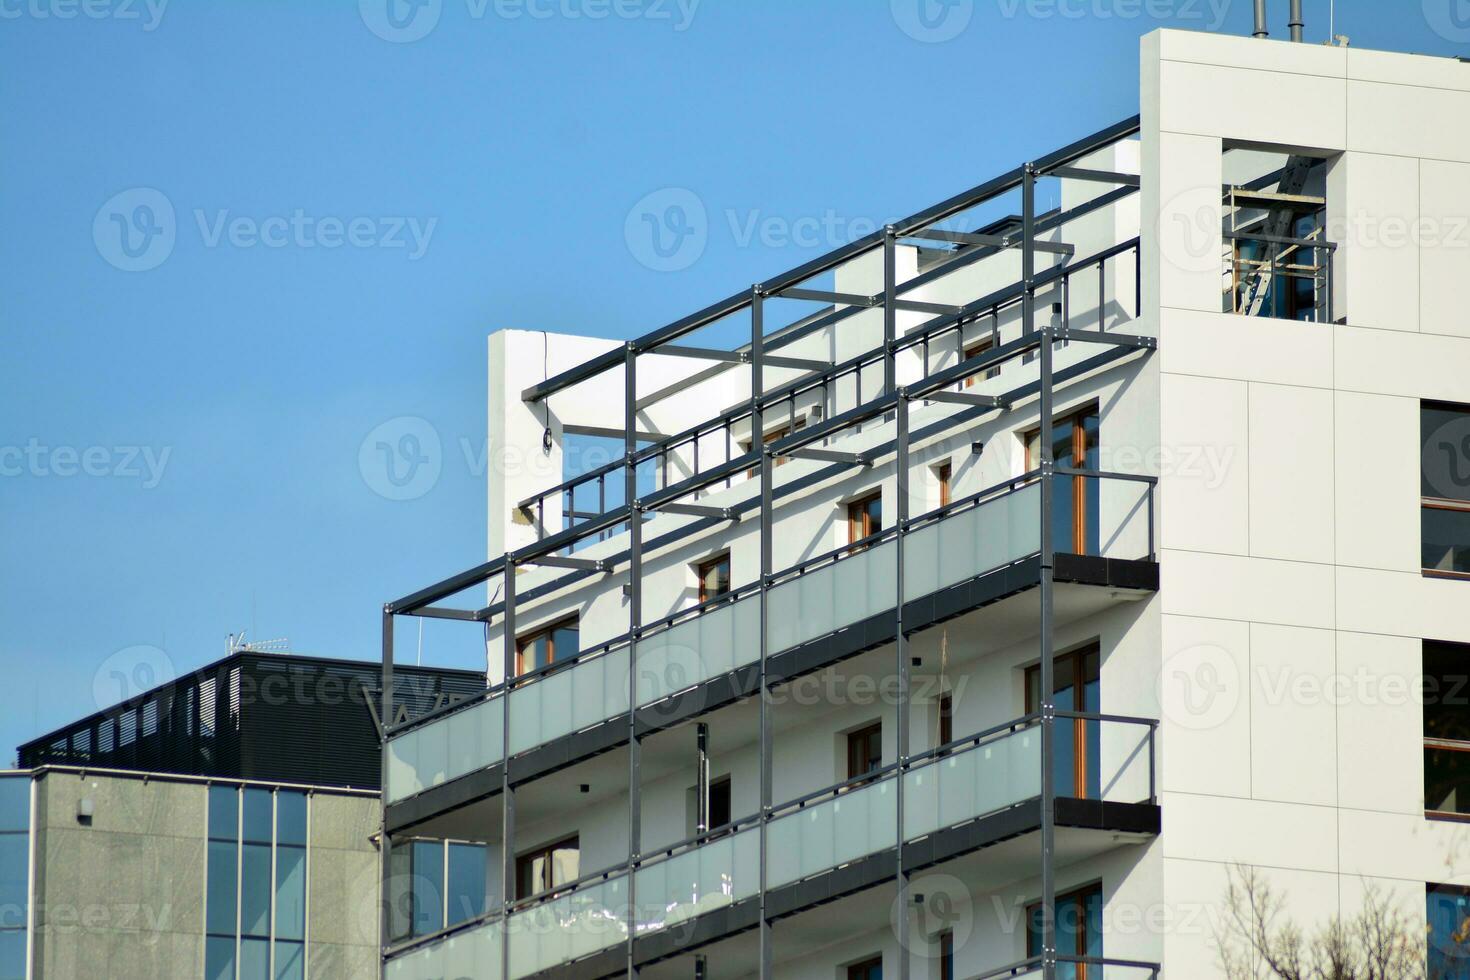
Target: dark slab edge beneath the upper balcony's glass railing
[(877, 631)]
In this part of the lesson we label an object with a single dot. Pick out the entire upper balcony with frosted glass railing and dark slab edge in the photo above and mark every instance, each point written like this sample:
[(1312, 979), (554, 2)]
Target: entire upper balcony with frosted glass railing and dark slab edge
[(968, 555)]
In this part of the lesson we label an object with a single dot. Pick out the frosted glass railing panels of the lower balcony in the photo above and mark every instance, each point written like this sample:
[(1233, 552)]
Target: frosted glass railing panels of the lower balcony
[(968, 779)]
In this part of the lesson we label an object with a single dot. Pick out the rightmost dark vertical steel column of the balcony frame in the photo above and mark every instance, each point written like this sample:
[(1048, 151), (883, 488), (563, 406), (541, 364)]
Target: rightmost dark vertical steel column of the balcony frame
[(1049, 732)]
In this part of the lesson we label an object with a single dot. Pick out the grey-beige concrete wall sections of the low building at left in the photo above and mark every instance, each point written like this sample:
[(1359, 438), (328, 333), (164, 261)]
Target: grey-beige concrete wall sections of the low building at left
[(124, 896)]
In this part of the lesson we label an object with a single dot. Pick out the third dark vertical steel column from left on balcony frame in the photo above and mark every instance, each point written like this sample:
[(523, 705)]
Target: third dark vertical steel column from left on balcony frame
[(634, 624)]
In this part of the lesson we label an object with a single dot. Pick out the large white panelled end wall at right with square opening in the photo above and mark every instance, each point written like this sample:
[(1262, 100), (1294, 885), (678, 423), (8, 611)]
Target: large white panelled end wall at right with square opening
[(1293, 599)]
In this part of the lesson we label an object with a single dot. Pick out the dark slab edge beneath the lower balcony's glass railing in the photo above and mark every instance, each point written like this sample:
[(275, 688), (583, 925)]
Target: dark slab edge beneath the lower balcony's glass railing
[(871, 872)]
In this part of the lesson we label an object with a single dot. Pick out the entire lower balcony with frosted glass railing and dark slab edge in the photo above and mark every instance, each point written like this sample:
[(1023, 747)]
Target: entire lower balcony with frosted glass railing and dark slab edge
[(975, 800)]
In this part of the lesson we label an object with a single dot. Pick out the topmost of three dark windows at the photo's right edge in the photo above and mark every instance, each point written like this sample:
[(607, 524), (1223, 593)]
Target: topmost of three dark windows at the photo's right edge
[(1446, 489)]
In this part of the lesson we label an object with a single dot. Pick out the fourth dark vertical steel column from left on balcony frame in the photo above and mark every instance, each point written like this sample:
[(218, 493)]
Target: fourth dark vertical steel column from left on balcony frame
[(758, 384)]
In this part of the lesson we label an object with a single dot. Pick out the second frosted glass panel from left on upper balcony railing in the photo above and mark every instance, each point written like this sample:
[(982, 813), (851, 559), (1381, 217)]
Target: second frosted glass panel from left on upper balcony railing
[(570, 700)]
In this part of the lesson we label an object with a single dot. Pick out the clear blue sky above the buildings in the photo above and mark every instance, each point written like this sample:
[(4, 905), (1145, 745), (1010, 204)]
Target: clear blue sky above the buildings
[(180, 446)]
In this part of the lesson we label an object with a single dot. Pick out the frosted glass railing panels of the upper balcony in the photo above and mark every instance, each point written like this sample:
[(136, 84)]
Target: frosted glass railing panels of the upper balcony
[(817, 599)]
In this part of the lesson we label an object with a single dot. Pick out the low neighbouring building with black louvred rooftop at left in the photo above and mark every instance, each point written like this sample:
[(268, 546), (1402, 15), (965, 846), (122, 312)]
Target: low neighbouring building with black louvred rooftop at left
[(223, 826)]
